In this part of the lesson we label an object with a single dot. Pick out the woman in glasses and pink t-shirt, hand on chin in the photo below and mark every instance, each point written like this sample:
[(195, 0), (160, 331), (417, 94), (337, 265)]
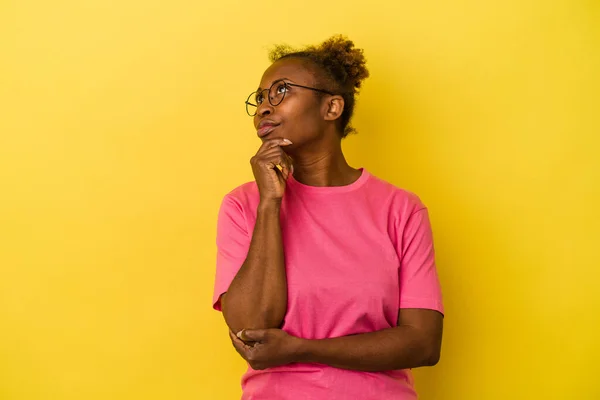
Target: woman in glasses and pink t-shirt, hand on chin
[(325, 273)]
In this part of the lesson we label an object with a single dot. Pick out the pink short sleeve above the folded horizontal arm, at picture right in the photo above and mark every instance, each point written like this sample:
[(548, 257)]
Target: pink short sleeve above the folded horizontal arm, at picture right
[(418, 278)]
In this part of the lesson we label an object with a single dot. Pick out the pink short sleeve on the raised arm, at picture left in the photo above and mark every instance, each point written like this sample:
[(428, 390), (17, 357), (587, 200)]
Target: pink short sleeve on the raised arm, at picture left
[(233, 242)]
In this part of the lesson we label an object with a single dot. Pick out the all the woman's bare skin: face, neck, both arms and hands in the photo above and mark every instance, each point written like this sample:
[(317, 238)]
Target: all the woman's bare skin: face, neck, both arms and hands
[(256, 301)]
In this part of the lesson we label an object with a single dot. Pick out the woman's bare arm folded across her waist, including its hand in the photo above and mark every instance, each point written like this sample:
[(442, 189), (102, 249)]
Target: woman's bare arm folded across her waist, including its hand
[(415, 342)]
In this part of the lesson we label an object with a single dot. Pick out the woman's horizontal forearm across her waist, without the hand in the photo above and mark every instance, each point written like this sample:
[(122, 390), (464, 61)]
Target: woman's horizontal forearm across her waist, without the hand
[(394, 348)]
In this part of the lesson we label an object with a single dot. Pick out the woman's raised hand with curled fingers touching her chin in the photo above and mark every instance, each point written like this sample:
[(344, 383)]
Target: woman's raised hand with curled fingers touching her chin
[(270, 180)]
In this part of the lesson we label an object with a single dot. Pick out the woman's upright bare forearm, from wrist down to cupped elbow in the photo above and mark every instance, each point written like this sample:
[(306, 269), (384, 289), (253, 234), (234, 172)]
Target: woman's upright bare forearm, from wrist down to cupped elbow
[(257, 296)]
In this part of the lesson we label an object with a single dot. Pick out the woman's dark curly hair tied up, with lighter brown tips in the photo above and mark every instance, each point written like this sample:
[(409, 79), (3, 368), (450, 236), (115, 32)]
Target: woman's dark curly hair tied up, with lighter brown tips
[(343, 65)]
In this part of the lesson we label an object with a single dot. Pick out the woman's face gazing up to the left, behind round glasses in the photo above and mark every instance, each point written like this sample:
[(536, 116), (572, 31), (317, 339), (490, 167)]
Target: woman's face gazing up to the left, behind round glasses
[(299, 117)]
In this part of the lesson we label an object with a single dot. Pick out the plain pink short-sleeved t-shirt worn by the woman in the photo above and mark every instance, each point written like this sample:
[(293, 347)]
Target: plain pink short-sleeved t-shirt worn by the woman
[(354, 255)]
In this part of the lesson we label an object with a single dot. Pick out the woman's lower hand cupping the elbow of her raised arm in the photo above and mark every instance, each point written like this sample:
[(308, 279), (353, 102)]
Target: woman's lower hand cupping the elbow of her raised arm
[(268, 347)]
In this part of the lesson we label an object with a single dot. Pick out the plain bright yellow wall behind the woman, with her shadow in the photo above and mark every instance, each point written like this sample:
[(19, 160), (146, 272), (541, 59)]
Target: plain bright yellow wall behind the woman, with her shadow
[(122, 126)]
